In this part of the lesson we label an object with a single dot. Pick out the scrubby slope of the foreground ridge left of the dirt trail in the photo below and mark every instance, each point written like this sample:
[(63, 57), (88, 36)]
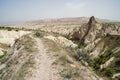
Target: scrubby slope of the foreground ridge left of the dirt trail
[(14, 65)]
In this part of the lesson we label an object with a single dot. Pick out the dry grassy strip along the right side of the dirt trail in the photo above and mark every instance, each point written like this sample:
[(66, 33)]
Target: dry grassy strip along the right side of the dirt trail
[(62, 60)]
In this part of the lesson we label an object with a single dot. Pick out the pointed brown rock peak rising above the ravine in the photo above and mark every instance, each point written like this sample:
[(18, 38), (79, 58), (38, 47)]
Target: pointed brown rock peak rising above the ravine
[(88, 32)]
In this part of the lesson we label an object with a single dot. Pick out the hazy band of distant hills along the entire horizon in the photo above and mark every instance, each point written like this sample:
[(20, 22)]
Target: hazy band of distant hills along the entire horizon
[(71, 20)]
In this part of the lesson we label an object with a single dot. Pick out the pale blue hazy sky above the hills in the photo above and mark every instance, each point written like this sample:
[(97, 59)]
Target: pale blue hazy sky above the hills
[(29, 10)]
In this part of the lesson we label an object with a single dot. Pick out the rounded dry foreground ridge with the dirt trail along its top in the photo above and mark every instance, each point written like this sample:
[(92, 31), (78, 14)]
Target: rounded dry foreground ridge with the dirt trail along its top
[(32, 58)]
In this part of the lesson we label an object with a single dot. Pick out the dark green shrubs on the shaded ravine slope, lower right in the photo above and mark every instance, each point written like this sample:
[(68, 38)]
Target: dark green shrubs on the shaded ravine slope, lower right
[(112, 41)]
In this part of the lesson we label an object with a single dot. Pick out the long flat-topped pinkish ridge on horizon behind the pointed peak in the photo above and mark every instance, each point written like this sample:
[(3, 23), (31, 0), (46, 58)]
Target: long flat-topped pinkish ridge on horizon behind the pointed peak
[(75, 20)]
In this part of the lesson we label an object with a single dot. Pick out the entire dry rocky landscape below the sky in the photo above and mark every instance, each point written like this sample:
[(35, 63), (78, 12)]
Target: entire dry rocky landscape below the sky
[(61, 49)]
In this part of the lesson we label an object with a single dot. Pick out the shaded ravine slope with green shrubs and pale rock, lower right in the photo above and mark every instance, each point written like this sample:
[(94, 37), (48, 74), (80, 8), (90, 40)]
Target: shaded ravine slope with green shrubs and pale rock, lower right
[(108, 52)]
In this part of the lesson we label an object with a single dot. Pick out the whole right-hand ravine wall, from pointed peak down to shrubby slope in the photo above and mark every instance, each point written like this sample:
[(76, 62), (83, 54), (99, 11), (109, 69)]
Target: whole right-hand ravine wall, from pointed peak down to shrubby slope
[(101, 42)]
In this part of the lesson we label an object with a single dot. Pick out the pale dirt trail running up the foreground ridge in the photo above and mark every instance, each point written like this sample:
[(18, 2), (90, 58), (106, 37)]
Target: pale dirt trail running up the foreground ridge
[(43, 68)]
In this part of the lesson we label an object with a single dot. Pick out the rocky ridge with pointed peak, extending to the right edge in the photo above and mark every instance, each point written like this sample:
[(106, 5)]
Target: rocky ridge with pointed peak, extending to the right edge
[(93, 30)]
